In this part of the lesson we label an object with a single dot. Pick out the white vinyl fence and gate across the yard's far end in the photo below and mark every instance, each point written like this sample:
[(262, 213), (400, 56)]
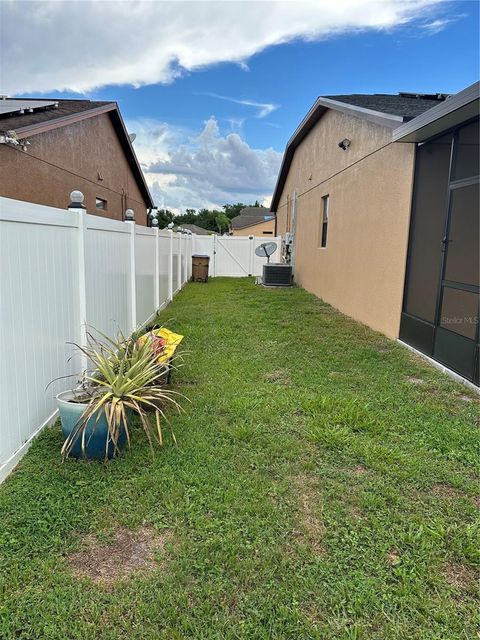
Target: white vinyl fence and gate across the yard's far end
[(234, 256)]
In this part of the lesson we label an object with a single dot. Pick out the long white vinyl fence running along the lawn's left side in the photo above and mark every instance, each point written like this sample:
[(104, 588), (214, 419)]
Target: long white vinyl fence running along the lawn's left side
[(60, 270)]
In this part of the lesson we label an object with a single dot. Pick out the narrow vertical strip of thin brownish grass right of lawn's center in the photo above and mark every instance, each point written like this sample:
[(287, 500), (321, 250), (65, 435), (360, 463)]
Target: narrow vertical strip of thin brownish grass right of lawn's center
[(312, 528)]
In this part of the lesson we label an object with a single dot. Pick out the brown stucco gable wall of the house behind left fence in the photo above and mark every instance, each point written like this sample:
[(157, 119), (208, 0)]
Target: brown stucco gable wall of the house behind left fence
[(86, 154)]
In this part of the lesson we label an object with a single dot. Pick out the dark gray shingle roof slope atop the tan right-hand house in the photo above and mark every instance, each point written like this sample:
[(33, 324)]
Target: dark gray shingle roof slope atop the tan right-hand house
[(408, 105)]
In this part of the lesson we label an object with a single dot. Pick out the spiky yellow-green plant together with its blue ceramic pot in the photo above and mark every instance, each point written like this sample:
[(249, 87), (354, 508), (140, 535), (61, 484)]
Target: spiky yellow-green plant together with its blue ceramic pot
[(125, 379)]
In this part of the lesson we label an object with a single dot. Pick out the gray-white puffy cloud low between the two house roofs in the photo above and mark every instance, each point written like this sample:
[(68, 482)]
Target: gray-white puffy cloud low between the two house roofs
[(204, 170)]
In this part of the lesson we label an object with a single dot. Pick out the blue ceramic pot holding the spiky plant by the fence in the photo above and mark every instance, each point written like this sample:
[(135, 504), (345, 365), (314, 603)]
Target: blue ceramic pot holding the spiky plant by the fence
[(95, 434)]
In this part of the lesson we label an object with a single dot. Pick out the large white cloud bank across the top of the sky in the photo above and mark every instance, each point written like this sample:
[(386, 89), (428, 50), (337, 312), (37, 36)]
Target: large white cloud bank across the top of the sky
[(82, 45)]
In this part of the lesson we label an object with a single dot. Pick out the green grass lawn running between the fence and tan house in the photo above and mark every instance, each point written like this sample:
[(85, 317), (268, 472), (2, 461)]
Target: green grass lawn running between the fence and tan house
[(323, 486)]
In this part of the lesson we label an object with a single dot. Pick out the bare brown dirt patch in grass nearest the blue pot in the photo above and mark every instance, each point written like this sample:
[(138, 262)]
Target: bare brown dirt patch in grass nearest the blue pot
[(126, 552)]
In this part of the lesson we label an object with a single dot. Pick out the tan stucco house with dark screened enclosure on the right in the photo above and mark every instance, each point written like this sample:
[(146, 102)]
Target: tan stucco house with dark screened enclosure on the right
[(353, 172)]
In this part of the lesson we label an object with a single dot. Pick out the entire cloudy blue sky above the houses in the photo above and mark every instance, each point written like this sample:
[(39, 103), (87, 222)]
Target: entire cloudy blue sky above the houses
[(215, 92)]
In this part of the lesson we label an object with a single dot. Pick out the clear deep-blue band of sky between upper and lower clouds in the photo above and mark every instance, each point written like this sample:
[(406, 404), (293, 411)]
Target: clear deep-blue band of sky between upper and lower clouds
[(293, 75)]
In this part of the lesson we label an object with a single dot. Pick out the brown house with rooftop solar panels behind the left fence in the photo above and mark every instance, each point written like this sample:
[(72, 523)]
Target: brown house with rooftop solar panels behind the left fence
[(64, 145)]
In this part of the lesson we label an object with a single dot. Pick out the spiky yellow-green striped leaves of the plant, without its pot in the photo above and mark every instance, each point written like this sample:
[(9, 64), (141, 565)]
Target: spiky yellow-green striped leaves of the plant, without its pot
[(125, 377)]
